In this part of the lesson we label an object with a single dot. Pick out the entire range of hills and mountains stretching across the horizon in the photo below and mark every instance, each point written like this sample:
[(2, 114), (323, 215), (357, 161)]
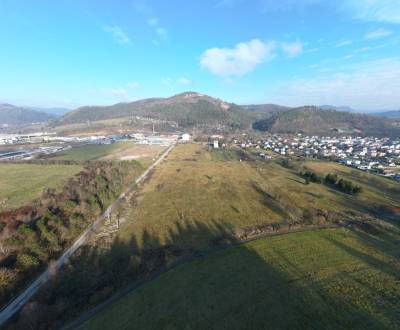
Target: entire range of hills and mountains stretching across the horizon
[(195, 110)]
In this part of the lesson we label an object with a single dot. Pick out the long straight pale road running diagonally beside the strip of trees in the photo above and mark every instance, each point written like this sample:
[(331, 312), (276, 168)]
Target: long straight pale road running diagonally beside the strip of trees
[(23, 298)]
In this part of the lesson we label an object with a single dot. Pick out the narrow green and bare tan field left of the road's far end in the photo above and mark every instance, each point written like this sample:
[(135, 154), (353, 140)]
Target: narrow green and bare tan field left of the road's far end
[(115, 151)]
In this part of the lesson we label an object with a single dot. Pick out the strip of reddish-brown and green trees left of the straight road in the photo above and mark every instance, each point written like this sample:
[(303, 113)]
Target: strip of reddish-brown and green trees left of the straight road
[(34, 235)]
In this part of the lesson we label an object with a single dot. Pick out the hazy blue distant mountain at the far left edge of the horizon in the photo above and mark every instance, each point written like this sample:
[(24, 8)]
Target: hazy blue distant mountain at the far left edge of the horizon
[(12, 115)]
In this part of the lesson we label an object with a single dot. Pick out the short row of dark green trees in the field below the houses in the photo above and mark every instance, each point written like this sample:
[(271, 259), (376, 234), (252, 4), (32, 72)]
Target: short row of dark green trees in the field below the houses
[(332, 179)]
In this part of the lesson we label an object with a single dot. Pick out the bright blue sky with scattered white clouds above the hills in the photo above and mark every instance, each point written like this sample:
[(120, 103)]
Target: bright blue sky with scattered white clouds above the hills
[(69, 53)]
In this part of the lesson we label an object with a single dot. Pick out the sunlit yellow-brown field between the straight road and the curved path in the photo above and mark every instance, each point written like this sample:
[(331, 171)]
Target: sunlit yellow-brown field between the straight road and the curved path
[(214, 186)]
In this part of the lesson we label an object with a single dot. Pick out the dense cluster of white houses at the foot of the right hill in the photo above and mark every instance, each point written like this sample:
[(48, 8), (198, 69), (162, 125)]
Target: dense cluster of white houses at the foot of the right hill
[(380, 155)]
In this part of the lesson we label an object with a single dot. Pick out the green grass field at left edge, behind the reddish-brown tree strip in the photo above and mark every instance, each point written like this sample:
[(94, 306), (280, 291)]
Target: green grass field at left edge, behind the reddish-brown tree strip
[(21, 183)]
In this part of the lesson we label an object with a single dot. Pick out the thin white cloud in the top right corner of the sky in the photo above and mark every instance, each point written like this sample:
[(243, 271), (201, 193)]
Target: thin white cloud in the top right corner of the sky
[(374, 10)]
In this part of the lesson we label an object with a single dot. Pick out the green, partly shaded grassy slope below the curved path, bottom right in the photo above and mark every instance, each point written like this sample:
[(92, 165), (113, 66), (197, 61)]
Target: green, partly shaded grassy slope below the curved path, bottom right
[(330, 279)]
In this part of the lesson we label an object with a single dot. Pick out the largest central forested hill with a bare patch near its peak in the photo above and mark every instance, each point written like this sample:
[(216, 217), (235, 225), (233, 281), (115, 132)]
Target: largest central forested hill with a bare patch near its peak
[(187, 110)]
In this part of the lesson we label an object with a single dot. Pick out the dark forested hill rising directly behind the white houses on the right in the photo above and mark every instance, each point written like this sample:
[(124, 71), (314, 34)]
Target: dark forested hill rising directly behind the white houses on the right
[(313, 120)]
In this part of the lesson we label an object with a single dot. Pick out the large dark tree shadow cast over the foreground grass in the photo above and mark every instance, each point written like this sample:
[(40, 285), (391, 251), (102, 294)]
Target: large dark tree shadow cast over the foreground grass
[(233, 288)]
